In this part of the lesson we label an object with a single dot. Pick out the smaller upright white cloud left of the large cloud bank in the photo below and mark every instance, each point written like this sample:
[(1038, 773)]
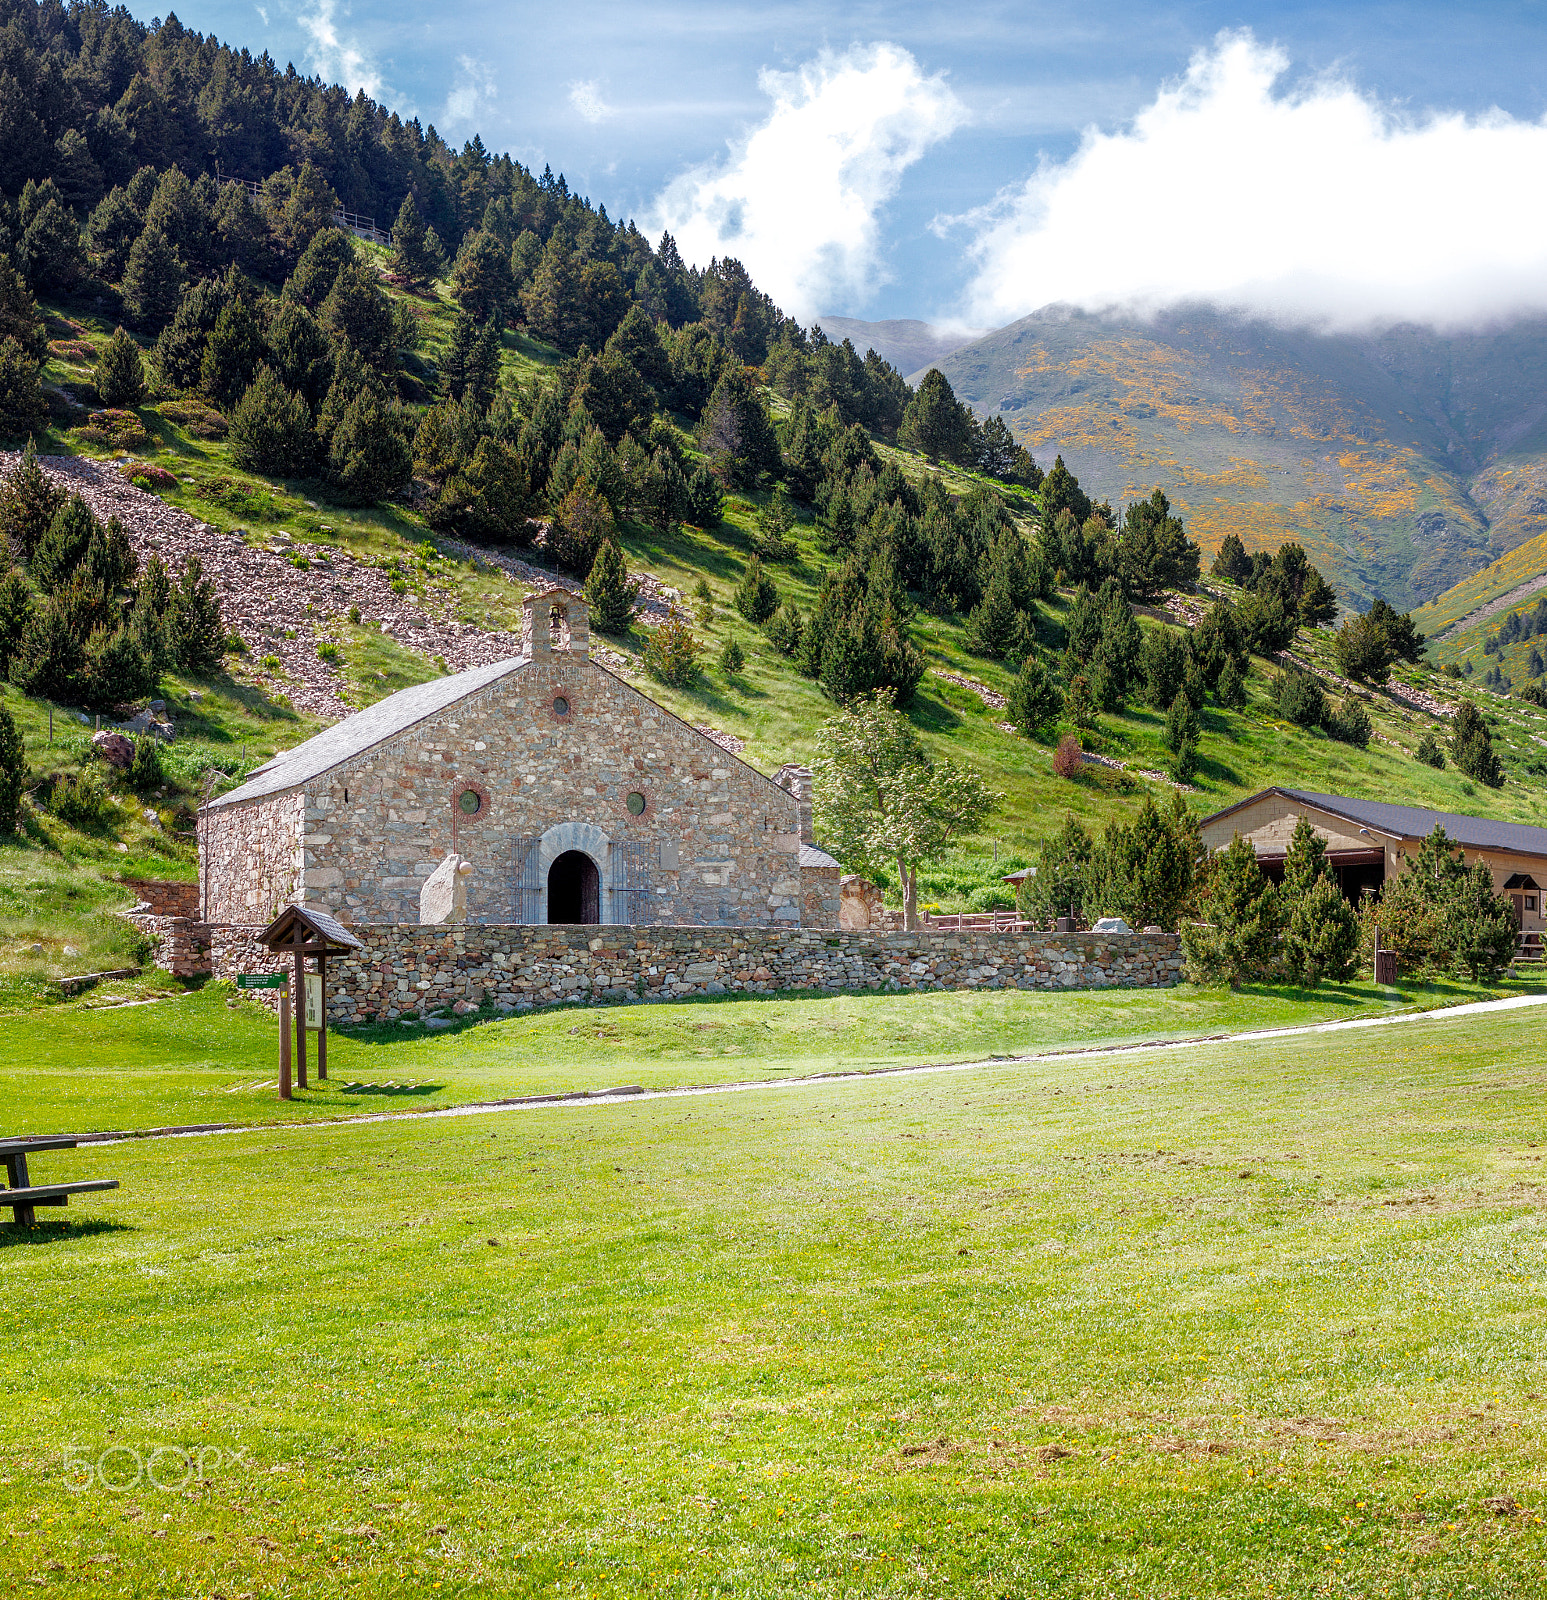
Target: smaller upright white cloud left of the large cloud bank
[(799, 199)]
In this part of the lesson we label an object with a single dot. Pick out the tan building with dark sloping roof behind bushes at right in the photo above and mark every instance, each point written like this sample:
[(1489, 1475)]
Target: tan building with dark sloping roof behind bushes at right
[(1369, 842)]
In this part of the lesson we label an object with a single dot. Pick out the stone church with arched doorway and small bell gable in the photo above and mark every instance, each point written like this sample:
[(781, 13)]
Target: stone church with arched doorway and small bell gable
[(572, 798)]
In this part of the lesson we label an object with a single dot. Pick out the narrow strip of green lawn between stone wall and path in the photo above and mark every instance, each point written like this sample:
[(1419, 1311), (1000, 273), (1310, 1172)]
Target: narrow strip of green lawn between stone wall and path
[(92, 1066)]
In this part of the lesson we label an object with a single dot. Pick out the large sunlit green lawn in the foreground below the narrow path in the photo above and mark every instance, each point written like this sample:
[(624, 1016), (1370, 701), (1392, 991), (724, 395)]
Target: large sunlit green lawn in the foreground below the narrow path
[(1247, 1321)]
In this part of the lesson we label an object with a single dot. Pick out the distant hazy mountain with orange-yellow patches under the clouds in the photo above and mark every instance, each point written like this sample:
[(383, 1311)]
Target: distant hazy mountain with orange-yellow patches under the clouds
[(1405, 462)]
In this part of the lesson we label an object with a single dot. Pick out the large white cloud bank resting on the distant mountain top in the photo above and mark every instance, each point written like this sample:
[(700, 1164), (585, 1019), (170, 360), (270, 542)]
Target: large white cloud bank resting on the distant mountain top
[(1317, 206)]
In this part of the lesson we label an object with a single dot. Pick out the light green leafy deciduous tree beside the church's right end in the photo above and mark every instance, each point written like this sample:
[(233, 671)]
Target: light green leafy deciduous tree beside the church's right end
[(885, 801)]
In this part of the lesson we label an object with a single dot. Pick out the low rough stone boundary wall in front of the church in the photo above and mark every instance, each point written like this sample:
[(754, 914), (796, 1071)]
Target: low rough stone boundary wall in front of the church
[(426, 969)]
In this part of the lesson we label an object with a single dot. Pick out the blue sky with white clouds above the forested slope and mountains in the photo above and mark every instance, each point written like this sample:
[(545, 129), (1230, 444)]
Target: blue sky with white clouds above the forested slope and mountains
[(938, 150)]
